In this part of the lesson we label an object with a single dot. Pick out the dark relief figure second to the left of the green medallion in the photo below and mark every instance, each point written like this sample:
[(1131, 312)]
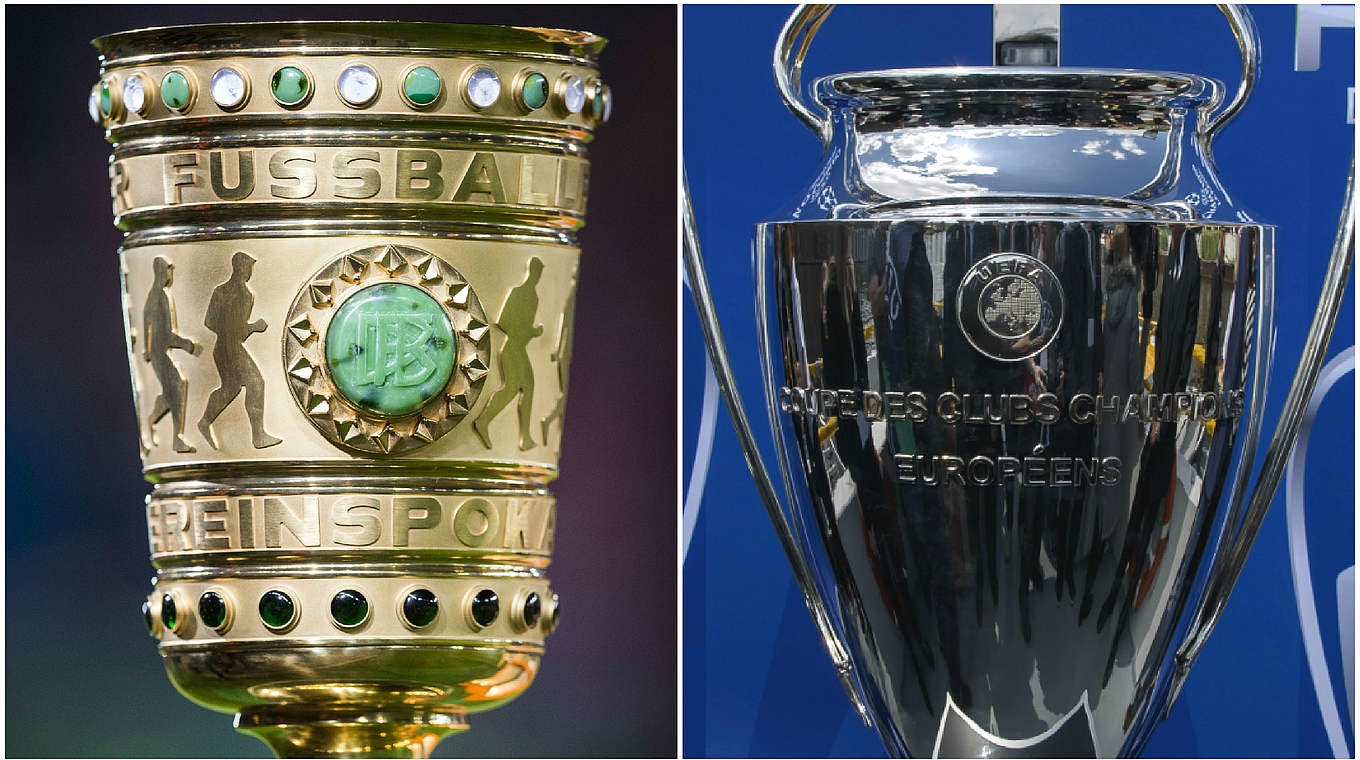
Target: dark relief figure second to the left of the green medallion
[(158, 326)]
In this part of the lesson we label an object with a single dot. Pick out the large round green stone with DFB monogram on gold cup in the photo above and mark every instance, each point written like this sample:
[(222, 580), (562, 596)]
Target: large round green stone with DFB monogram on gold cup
[(391, 350)]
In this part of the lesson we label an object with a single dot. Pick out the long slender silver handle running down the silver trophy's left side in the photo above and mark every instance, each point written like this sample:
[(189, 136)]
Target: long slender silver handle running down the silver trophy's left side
[(717, 349)]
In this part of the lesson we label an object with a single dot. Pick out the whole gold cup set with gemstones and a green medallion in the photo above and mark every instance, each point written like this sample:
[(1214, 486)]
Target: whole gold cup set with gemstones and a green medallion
[(349, 279)]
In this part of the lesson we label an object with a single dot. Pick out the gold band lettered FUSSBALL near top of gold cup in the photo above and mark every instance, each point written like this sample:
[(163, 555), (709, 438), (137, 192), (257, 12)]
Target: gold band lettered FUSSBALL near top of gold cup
[(248, 179)]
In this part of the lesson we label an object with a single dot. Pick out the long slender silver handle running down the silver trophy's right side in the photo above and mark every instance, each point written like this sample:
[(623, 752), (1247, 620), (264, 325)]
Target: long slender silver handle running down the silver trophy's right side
[(1238, 539)]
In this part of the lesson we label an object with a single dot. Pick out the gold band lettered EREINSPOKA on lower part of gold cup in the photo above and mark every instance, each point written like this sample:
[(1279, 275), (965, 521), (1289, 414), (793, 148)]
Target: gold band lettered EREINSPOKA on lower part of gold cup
[(464, 527)]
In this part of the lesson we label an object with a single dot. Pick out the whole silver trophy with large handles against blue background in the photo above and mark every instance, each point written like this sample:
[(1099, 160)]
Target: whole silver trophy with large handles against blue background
[(1008, 396)]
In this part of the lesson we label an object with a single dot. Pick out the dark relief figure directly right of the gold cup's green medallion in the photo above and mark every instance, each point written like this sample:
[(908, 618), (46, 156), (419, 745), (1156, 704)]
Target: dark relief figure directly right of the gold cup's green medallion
[(516, 322)]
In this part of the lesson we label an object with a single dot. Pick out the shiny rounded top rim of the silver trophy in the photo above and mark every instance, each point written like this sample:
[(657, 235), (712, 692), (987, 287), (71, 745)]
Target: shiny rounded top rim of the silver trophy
[(954, 81)]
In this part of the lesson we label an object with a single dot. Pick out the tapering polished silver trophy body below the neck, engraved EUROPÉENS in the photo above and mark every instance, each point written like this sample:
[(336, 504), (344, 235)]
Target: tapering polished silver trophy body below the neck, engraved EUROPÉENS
[(1011, 546)]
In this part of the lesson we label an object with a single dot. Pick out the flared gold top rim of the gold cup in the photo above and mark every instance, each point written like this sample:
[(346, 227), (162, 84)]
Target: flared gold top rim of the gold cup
[(343, 37)]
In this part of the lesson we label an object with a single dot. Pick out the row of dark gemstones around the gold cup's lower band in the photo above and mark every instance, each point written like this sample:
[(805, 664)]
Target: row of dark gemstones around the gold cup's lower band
[(349, 610)]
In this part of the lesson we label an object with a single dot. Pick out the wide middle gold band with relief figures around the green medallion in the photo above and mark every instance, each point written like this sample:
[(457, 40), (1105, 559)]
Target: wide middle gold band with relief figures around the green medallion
[(190, 380)]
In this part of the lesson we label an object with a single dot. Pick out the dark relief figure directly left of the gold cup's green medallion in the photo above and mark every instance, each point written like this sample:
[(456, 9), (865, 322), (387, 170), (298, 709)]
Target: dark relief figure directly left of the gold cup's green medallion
[(229, 317)]
